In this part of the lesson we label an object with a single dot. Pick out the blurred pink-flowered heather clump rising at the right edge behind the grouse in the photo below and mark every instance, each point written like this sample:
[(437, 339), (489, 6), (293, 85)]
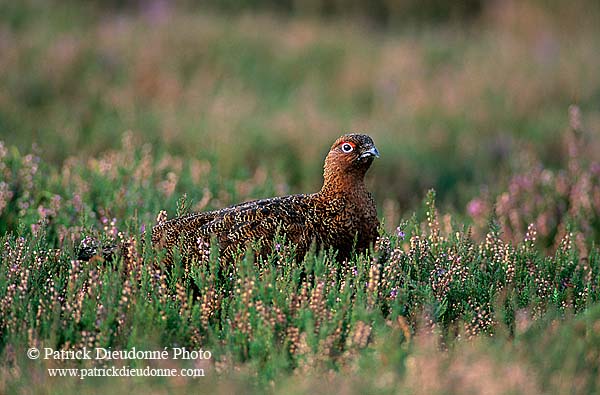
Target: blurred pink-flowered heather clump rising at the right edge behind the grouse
[(554, 202)]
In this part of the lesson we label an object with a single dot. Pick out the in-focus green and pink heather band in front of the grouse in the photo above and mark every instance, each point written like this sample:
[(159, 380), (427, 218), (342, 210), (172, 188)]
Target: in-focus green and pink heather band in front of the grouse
[(278, 321)]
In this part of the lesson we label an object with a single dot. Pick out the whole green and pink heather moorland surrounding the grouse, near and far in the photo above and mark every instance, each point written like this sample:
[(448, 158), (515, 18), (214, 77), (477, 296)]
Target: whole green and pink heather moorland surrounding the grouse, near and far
[(108, 117)]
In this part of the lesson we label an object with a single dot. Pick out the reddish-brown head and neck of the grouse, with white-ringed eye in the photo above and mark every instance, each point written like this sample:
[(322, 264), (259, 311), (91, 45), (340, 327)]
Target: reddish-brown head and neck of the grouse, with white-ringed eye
[(349, 159)]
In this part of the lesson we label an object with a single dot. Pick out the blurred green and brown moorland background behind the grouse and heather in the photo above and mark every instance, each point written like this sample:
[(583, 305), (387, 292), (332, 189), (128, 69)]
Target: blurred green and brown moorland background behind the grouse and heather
[(452, 92)]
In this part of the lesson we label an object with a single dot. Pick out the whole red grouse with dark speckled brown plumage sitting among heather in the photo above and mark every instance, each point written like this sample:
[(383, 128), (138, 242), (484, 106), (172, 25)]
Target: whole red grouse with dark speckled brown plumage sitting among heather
[(342, 215)]
